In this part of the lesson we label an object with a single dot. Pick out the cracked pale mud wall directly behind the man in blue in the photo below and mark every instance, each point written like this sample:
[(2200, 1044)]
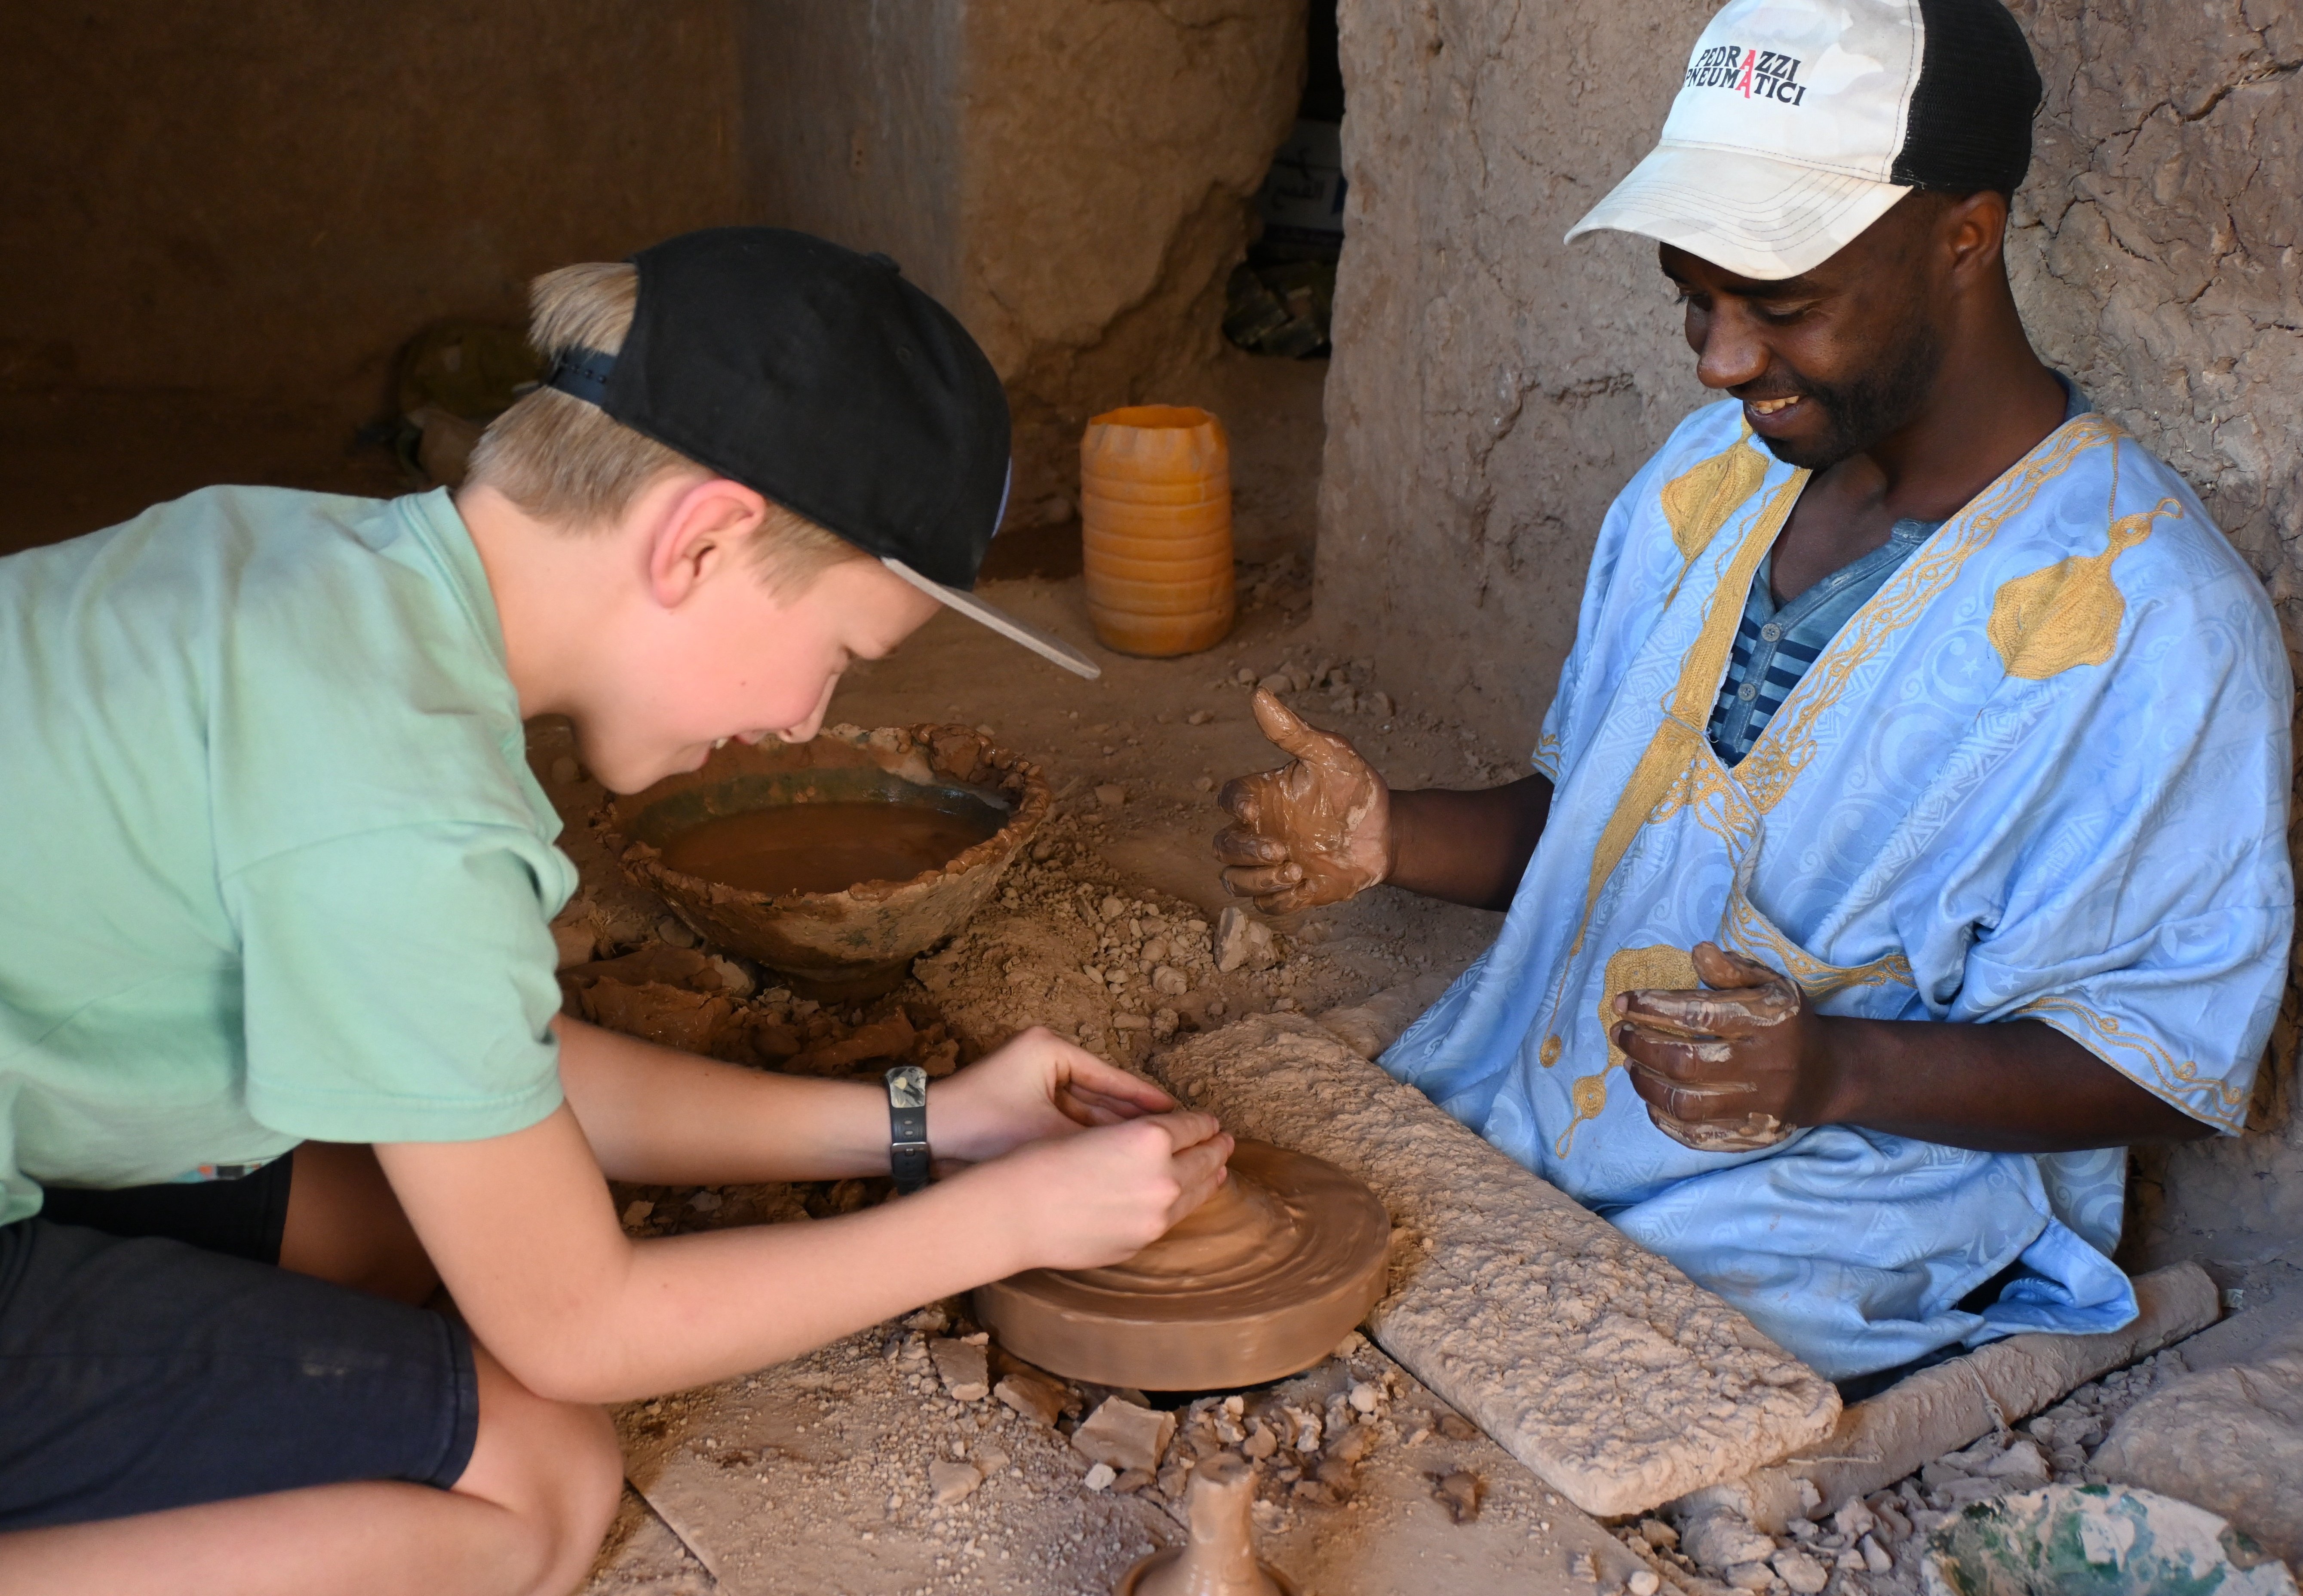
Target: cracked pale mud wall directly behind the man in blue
[(1496, 388)]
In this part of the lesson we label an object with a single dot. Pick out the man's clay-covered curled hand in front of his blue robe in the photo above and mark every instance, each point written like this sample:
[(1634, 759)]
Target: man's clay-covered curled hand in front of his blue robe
[(1731, 1067)]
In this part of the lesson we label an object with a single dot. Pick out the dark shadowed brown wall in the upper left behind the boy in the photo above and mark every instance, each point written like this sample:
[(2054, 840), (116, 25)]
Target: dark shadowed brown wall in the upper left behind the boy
[(273, 197)]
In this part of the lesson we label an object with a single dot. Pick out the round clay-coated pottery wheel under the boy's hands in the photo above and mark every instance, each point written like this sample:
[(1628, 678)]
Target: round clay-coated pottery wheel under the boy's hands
[(1256, 1284)]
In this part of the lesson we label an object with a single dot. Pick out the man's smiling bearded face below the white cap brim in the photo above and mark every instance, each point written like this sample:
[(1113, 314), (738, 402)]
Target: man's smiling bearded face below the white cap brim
[(1839, 358)]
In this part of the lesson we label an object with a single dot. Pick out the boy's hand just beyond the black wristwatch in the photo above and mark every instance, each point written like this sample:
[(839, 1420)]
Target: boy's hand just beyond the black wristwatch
[(1033, 1088)]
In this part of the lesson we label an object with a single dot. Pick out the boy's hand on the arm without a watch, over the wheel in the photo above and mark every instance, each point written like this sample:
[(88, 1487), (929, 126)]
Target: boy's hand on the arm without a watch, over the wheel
[(1104, 1194)]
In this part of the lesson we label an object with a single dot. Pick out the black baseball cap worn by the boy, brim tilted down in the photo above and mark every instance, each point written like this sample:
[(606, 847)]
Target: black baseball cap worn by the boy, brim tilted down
[(833, 386)]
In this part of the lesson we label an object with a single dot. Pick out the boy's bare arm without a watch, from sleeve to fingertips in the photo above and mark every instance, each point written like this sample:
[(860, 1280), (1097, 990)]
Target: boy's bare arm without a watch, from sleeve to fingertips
[(526, 1240)]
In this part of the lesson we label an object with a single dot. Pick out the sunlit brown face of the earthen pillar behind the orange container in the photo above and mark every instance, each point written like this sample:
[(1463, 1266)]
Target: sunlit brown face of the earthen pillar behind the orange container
[(1111, 155)]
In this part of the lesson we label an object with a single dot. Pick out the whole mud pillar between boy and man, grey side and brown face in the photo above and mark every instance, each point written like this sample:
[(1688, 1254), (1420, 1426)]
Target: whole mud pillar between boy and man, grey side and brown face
[(1070, 178)]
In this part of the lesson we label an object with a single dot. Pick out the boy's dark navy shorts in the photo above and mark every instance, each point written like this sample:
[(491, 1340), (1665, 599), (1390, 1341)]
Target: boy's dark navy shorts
[(142, 1371)]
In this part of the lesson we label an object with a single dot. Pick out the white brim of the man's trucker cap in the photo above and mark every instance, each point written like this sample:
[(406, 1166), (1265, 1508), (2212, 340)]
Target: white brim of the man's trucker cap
[(1740, 211)]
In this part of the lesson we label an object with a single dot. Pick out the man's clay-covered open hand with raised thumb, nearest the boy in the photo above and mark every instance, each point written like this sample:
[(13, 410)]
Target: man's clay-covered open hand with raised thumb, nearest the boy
[(1316, 830)]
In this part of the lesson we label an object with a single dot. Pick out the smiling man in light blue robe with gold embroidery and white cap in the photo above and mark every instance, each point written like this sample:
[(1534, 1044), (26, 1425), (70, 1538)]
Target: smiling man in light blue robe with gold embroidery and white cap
[(1910, 819)]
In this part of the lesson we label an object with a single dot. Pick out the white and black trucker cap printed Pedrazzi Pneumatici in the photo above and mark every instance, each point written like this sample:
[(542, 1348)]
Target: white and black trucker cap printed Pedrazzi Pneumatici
[(1800, 123)]
